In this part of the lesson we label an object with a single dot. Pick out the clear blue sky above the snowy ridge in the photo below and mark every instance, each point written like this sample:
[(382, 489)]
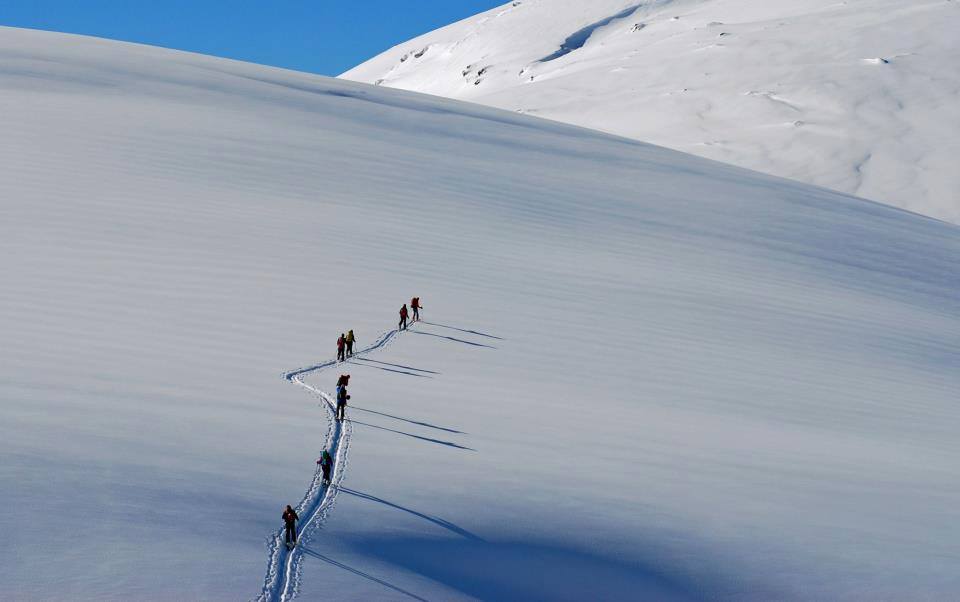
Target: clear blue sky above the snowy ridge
[(322, 36)]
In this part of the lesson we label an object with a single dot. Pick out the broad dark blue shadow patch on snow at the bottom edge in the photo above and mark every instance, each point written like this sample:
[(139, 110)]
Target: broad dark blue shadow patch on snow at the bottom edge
[(508, 570)]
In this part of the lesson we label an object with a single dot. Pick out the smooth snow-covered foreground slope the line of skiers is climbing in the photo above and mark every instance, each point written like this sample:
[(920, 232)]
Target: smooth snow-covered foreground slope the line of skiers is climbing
[(640, 374)]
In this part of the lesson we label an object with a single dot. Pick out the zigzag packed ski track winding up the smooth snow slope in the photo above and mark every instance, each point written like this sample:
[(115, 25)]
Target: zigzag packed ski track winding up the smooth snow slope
[(284, 570)]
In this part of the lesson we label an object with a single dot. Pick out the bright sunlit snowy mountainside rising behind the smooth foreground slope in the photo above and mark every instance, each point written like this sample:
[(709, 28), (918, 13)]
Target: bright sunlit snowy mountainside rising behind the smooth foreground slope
[(861, 96)]
